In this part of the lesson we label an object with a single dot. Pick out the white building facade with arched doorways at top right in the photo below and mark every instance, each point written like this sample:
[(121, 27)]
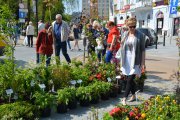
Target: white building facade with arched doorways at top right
[(153, 14)]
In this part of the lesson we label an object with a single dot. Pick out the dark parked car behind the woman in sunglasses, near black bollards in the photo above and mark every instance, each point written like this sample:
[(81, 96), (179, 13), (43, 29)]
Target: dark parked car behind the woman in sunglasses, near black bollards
[(151, 36)]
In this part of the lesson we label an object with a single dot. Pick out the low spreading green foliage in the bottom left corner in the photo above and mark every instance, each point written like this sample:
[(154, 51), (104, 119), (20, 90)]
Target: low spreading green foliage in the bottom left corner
[(17, 110)]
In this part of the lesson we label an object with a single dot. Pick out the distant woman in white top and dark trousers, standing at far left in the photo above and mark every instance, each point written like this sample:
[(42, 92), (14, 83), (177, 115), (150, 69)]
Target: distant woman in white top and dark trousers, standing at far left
[(30, 34)]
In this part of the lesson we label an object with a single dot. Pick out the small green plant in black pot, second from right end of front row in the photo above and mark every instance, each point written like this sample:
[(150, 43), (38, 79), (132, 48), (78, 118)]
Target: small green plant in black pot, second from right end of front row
[(105, 90)]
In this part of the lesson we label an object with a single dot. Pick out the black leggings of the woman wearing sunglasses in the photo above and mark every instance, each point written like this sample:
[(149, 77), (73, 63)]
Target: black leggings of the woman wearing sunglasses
[(130, 86)]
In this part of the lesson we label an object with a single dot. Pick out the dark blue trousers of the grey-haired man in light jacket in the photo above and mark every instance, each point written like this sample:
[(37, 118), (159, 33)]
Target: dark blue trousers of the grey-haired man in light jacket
[(63, 46)]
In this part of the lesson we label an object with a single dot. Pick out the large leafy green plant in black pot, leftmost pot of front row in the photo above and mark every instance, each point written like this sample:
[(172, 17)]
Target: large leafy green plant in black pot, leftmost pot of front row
[(43, 102)]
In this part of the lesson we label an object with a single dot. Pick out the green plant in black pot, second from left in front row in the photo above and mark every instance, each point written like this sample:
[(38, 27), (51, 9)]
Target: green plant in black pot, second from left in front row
[(63, 98)]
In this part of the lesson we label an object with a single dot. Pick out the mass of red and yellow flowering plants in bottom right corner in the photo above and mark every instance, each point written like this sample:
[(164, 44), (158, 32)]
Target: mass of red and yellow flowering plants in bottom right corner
[(156, 108)]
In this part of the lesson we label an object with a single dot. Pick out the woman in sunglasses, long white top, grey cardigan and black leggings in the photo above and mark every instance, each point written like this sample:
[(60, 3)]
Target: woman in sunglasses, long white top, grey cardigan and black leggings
[(132, 57)]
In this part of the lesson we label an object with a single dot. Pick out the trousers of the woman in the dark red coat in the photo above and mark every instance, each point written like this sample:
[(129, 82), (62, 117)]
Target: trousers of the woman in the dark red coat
[(42, 58)]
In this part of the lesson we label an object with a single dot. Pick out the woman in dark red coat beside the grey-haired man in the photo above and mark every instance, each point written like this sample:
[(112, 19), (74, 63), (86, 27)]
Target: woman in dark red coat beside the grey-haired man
[(44, 45)]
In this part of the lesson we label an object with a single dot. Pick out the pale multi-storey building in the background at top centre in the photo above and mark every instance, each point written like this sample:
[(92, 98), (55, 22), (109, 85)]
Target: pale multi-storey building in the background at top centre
[(99, 9)]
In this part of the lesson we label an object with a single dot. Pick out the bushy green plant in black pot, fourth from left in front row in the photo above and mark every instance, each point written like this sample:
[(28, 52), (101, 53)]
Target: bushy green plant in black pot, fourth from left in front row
[(84, 95)]
